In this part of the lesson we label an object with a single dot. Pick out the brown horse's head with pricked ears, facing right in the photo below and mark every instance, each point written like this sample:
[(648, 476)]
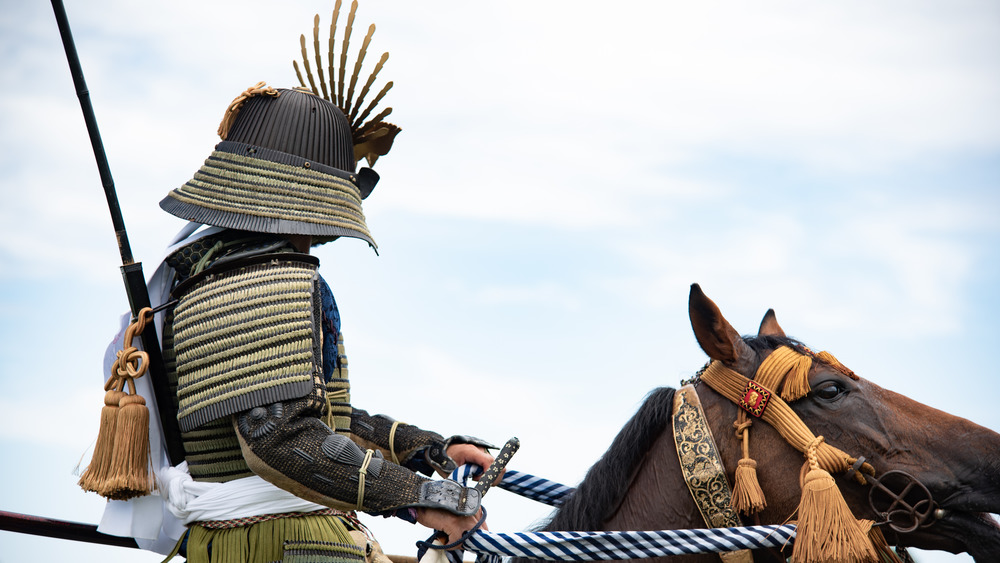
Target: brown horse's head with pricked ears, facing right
[(930, 478)]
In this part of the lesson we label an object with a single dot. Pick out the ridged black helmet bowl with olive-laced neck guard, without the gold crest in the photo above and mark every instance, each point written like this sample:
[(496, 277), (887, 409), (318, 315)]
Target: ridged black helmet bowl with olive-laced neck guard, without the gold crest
[(286, 166)]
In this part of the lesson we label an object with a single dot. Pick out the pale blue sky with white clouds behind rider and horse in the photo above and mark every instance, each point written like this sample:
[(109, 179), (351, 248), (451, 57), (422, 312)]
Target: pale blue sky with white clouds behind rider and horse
[(565, 171)]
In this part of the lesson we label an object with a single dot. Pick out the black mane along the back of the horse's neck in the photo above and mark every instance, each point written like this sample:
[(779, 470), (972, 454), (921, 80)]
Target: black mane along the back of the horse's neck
[(599, 494)]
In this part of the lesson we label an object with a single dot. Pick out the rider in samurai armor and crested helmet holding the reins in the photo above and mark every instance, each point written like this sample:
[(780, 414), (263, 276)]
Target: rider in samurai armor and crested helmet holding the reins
[(277, 459)]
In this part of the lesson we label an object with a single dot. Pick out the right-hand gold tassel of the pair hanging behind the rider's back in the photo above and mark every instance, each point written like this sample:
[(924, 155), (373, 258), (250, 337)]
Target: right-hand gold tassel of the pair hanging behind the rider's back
[(130, 476)]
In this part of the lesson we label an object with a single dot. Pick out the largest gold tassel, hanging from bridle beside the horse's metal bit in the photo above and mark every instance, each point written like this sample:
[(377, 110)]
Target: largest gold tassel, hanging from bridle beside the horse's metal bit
[(826, 531)]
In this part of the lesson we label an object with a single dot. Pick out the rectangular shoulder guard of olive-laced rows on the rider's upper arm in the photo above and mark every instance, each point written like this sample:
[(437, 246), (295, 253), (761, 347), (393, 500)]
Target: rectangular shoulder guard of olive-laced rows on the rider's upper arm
[(246, 334)]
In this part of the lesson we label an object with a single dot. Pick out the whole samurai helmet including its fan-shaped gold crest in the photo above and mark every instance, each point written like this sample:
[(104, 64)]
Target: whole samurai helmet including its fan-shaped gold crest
[(287, 163)]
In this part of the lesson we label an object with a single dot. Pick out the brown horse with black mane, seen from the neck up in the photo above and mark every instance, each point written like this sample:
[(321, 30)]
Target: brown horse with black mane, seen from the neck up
[(951, 466)]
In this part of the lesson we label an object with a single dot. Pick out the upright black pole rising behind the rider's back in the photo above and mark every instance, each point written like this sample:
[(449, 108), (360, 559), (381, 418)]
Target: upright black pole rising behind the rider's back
[(135, 282)]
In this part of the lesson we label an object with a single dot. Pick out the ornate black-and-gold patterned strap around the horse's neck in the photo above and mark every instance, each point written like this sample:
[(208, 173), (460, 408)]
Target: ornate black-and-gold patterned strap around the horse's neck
[(702, 467)]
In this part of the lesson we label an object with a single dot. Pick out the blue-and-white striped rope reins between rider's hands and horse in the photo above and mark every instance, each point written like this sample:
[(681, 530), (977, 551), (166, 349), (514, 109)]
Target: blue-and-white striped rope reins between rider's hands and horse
[(603, 546)]
